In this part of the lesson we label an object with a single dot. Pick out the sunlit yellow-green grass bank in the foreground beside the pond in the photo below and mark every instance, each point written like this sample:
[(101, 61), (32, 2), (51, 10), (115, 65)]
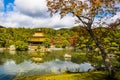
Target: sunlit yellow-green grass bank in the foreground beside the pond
[(99, 75)]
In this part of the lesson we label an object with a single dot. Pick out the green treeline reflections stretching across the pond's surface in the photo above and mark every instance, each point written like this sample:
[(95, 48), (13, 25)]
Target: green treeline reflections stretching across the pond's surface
[(77, 57)]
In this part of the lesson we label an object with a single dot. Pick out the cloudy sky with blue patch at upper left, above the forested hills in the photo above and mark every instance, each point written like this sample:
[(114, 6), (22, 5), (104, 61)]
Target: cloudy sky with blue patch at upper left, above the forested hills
[(33, 13)]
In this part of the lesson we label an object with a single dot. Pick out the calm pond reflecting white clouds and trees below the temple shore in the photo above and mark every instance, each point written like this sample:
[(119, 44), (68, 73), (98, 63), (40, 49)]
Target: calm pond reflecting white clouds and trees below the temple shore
[(16, 64)]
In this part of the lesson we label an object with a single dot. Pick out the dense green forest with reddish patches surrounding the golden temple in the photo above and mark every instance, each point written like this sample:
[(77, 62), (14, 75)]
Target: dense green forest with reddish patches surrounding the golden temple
[(76, 37)]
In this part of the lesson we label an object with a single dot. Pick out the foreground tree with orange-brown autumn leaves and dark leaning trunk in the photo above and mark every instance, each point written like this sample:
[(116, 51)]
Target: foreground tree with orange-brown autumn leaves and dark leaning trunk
[(86, 12)]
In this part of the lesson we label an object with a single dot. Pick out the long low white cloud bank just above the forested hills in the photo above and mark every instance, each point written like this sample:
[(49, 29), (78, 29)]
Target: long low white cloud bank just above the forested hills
[(16, 19)]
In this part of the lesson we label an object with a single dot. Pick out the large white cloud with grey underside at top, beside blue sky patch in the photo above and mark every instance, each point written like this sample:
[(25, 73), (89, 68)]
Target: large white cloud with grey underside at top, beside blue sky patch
[(32, 7)]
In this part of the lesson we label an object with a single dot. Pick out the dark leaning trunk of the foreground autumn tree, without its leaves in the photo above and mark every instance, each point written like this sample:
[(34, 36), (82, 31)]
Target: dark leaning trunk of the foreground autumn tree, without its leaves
[(103, 53)]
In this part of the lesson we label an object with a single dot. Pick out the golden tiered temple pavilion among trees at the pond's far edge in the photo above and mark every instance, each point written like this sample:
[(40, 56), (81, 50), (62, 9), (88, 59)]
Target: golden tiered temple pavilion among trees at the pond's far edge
[(37, 38)]
